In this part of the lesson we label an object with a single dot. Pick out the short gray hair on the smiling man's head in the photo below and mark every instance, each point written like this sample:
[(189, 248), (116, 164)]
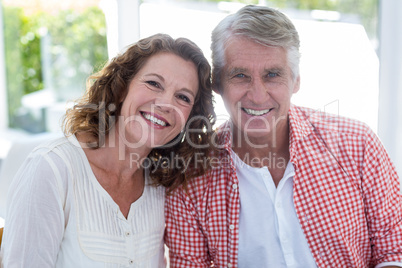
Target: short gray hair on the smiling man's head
[(263, 25)]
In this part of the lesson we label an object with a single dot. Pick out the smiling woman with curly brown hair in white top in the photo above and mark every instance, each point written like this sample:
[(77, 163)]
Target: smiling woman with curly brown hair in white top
[(93, 199)]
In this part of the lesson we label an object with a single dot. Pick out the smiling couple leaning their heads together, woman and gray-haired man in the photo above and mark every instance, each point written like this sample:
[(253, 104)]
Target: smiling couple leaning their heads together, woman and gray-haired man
[(281, 185)]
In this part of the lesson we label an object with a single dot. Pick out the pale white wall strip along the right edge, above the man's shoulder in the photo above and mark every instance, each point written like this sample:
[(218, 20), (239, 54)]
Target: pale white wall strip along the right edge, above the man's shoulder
[(390, 111)]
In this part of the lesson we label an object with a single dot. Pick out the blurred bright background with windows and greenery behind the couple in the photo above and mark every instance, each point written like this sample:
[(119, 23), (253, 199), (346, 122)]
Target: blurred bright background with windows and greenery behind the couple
[(351, 58)]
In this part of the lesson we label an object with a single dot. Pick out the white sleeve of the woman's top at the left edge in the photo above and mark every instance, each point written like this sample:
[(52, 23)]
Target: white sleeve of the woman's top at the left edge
[(34, 224)]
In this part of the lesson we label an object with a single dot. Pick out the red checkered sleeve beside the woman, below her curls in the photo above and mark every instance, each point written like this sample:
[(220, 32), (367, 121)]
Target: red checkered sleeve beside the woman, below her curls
[(186, 242)]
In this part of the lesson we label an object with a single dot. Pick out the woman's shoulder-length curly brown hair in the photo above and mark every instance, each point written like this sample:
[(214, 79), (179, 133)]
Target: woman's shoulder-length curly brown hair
[(96, 111)]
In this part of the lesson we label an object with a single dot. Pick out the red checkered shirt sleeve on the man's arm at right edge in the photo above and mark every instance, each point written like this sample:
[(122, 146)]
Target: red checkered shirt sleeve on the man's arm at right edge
[(382, 194)]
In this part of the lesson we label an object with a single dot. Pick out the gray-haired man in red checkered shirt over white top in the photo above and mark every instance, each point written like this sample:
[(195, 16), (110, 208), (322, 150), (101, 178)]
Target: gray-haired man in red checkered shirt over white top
[(290, 187)]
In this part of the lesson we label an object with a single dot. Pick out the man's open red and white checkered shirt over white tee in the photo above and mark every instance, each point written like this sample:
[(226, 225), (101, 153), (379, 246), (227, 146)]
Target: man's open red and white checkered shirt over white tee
[(346, 194)]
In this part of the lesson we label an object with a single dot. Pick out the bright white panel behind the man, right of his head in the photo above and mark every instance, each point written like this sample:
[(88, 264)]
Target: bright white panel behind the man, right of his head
[(339, 70)]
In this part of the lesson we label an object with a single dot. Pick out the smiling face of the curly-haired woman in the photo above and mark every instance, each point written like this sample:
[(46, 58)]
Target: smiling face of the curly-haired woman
[(159, 100)]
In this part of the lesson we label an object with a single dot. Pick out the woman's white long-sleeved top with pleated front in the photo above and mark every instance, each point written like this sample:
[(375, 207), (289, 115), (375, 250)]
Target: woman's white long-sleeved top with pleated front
[(60, 216)]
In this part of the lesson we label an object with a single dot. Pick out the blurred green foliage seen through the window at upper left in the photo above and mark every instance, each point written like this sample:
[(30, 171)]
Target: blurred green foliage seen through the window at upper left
[(51, 51)]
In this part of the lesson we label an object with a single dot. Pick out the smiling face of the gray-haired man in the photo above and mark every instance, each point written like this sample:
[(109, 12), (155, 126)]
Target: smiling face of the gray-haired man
[(257, 87)]
